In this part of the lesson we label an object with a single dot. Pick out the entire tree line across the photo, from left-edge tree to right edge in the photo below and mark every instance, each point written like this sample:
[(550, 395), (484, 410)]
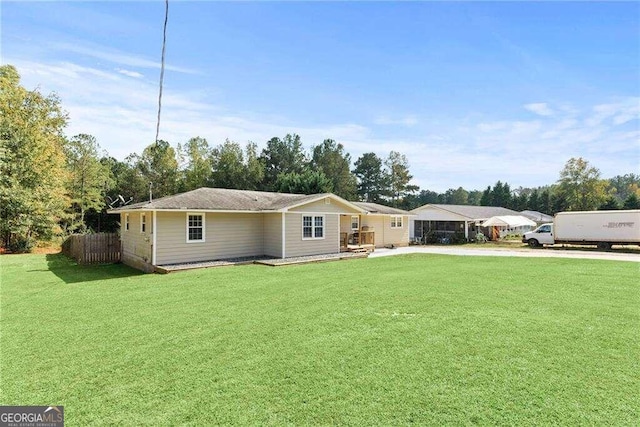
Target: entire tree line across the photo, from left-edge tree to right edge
[(54, 185)]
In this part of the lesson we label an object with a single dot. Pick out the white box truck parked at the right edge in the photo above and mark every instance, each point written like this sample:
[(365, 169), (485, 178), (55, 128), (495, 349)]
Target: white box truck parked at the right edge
[(601, 228)]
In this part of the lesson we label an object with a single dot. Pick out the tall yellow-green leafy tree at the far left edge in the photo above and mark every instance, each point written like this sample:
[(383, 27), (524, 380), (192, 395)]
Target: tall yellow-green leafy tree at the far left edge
[(33, 176)]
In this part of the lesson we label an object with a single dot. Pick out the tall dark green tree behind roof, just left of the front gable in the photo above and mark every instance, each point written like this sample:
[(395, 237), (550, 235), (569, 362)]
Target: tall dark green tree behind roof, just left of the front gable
[(282, 156)]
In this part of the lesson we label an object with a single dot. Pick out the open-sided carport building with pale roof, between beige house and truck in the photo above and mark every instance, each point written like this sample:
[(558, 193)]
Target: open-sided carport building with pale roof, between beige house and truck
[(445, 220)]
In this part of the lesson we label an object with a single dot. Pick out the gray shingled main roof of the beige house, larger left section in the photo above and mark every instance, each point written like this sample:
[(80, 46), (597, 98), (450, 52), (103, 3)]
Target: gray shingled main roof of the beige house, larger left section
[(223, 199)]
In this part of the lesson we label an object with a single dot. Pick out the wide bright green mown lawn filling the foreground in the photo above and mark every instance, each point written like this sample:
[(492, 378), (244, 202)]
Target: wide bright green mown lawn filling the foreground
[(396, 340)]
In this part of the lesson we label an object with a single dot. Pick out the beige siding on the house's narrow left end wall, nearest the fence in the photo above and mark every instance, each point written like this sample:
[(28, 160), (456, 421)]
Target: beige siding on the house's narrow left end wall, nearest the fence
[(136, 246)]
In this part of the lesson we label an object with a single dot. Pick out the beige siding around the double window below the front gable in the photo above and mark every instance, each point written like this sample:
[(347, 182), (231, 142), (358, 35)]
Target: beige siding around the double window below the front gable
[(296, 246)]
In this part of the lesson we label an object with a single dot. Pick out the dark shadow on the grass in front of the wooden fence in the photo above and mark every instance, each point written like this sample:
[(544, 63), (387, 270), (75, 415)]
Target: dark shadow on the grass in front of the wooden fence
[(71, 272)]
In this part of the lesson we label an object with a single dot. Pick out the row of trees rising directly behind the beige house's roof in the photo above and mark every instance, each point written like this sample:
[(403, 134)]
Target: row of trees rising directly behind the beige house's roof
[(282, 166)]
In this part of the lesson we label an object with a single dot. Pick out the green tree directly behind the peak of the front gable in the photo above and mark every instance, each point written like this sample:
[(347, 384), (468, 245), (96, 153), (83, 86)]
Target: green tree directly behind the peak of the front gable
[(330, 158)]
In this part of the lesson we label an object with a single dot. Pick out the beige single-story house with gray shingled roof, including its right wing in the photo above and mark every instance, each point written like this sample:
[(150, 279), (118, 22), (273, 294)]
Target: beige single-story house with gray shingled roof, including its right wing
[(213, 223)]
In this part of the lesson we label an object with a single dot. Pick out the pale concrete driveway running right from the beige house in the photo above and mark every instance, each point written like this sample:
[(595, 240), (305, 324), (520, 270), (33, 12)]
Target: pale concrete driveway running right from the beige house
[(520, 252)]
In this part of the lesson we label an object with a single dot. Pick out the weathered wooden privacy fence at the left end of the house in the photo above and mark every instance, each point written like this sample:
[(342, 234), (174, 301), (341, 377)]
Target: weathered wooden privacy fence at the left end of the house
[(93, 248)]
